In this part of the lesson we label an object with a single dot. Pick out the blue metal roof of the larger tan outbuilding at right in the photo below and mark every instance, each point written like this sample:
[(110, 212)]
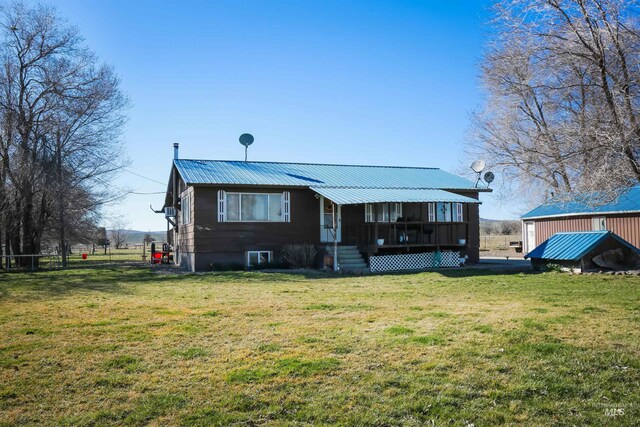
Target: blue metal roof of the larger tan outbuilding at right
[(628, 201)]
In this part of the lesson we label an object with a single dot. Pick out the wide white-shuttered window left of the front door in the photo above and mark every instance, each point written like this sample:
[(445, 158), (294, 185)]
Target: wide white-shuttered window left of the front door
[(253, 207)]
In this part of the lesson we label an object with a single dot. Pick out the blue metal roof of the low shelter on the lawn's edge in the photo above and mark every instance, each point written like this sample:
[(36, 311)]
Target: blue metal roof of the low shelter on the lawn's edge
[(573, 246)]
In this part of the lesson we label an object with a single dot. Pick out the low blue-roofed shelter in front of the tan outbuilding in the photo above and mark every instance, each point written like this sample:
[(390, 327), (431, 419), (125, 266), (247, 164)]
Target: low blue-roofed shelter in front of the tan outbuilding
[(587, 250)]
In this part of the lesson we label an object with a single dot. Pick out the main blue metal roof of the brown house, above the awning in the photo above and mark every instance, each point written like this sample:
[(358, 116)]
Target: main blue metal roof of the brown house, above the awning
[(318, 175)]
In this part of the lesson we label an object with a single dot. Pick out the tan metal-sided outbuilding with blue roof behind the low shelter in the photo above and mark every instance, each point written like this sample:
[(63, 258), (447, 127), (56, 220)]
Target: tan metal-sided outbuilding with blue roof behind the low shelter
[(621, 216)]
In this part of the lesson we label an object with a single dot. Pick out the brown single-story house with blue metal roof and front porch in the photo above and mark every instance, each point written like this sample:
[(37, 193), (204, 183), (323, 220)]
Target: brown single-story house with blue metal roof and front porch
[(379, 218)]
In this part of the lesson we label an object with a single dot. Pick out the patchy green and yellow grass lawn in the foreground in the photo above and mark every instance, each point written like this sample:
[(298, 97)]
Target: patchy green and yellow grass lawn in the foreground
[(125, 346)]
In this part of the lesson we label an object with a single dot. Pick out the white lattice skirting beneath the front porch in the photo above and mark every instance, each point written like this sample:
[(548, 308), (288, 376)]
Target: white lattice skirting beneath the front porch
[(414, 261)]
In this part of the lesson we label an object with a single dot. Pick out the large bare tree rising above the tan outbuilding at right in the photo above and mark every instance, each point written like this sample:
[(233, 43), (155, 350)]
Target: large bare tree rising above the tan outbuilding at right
[(563, 96)]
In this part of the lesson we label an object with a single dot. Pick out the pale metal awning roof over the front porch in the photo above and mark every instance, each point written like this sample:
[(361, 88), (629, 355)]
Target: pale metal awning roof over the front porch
[(351, 196)]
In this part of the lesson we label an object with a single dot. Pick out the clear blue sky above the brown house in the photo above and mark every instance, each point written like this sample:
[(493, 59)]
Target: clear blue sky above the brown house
[(388, 83)]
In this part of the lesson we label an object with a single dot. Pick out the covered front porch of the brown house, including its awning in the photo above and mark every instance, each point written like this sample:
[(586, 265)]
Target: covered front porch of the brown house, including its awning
[(396, 221)]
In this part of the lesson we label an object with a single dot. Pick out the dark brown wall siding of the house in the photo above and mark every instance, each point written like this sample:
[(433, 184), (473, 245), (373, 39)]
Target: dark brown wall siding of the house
[(206, 241)]
